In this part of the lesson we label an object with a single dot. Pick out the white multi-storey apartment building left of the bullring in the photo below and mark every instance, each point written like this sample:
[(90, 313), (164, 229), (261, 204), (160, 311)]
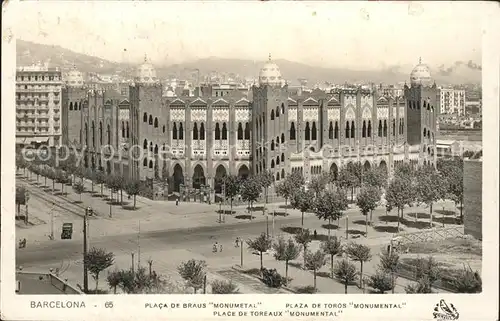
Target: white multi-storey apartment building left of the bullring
[(38, 105)]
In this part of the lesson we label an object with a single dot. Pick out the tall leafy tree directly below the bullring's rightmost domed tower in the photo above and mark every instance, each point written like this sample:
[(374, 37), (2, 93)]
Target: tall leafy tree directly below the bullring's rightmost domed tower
[(431, 187)]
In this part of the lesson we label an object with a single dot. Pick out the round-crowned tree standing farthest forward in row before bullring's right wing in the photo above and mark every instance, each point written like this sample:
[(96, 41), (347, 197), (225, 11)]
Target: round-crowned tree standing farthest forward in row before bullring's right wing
[(330, 205)]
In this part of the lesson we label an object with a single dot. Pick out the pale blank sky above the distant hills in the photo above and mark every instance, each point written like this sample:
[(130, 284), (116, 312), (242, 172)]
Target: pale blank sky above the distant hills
[(357, 35)]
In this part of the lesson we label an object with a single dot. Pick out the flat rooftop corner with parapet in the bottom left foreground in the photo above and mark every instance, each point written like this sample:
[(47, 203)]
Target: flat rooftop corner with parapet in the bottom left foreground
[(42, 283)]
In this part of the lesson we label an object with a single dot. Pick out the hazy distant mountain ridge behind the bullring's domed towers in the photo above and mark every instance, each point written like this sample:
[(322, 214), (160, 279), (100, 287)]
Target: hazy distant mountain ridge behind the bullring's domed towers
[(29, 52)]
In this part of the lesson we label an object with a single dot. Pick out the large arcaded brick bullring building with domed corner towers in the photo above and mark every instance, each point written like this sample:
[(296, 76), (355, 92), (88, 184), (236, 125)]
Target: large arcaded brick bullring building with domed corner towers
[(195, 140)]
